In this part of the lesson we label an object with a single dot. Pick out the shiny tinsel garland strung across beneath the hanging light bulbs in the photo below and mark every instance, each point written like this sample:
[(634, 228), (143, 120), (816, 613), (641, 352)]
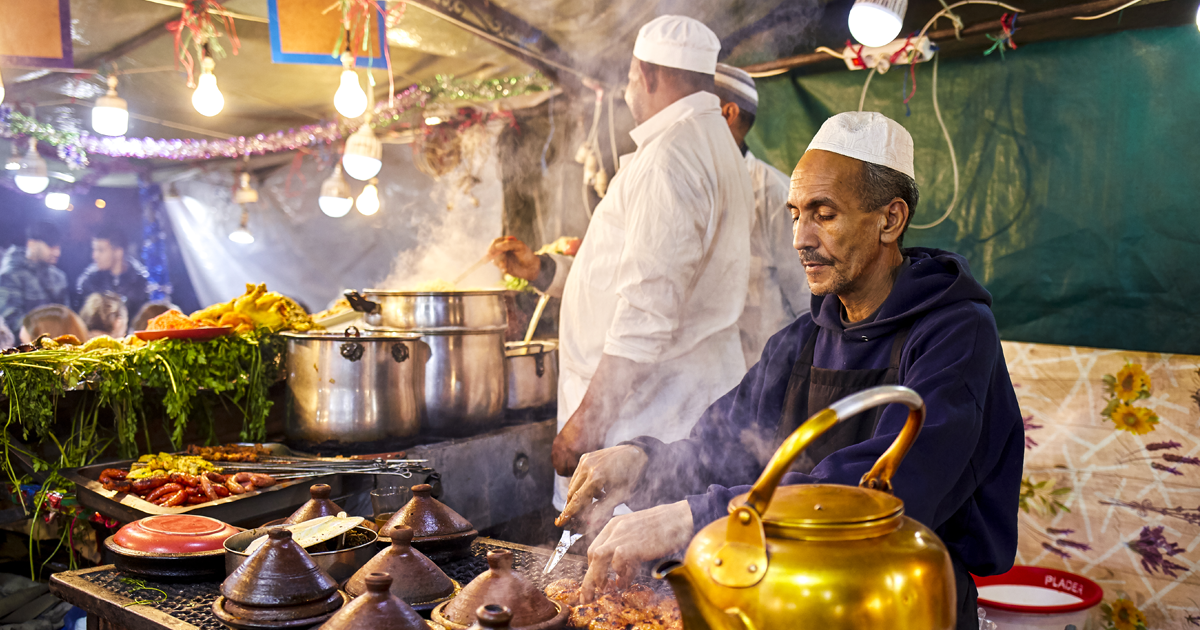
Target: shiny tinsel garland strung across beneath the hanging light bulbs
[(74, 147)]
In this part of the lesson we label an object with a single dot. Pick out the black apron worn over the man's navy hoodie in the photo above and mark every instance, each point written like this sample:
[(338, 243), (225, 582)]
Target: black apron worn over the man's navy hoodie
[(812, 389)]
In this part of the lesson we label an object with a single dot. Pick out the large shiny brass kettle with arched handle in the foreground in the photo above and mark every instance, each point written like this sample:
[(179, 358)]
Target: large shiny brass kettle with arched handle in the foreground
[(820, 556)]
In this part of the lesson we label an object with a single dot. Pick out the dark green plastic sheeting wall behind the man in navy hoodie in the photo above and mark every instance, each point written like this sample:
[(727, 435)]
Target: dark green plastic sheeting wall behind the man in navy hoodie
[(1078, 161)]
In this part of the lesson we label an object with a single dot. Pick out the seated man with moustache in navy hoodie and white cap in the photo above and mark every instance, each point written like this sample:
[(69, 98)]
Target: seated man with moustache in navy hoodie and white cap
[(881, 315)]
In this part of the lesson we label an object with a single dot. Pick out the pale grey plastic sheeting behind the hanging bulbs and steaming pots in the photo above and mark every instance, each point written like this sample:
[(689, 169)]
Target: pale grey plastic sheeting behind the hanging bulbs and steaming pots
[(304, 254)]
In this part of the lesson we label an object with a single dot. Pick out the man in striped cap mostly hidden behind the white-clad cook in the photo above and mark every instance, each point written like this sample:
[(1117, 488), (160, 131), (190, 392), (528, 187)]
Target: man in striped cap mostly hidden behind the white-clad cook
[(778, 289)]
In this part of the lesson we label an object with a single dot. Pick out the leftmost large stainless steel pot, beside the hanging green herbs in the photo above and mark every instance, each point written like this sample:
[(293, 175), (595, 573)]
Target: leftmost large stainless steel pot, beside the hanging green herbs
[(355, 387)]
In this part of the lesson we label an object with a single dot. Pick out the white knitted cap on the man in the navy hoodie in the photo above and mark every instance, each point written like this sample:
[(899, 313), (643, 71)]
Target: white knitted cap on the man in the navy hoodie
[(867, 136)]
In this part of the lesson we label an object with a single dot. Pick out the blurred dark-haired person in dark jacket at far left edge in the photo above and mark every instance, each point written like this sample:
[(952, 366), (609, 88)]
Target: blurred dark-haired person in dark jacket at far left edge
[(28, 277)]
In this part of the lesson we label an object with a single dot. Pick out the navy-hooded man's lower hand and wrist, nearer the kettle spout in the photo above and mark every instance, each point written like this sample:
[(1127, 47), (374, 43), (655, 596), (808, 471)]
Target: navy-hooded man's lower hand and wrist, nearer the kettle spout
[(633, 539)]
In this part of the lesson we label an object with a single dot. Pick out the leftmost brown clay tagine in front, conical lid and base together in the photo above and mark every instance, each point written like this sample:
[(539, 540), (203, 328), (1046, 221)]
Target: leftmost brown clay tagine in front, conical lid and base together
[(279, 586)]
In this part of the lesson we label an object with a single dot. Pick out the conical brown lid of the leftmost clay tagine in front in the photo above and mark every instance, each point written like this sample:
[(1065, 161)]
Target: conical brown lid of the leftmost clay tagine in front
[(279, 574)]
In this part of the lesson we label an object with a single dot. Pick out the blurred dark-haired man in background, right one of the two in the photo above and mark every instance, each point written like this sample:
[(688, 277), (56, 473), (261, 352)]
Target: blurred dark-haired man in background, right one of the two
[(112, 271)]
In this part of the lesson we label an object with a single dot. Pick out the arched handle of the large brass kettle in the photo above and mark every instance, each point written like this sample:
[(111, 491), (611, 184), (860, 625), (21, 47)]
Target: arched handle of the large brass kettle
[(880, 476)]
